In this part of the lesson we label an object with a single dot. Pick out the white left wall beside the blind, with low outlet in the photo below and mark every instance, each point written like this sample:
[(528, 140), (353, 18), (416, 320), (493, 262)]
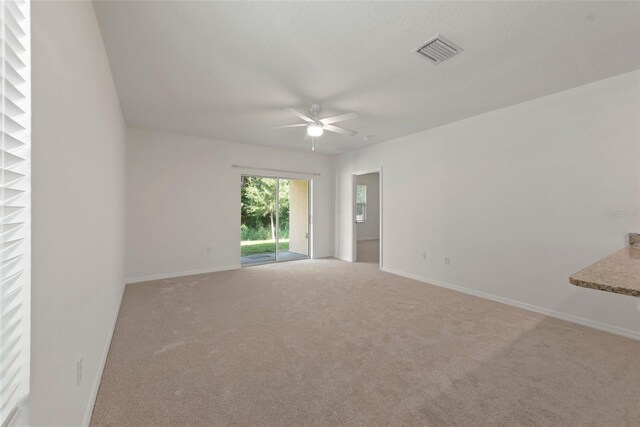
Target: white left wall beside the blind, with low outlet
[(78, 210)]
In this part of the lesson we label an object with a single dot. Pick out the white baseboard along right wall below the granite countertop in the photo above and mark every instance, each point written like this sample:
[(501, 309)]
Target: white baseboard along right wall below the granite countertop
[(628, 333)]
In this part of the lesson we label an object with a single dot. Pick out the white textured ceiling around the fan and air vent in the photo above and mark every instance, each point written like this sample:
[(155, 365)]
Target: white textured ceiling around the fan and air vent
[(227, 70)]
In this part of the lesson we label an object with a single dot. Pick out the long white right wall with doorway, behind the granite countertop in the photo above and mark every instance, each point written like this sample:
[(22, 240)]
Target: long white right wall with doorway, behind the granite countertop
[(517, 198)]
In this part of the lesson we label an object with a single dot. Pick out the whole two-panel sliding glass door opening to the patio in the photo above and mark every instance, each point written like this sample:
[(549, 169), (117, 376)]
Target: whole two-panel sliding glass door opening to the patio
[(274, 224)]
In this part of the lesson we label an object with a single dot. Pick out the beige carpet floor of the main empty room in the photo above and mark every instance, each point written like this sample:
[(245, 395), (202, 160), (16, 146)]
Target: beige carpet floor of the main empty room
[(325, 342)]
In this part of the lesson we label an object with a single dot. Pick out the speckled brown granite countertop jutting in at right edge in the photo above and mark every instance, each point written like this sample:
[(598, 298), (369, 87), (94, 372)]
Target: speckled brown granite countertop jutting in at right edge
[(618, 273)]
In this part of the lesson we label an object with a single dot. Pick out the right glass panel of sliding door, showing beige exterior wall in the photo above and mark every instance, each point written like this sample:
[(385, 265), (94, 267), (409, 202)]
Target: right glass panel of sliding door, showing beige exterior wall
[(293, 219)]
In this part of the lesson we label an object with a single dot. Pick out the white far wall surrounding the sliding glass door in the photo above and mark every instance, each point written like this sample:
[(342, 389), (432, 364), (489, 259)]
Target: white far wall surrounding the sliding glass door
[(184, 196)]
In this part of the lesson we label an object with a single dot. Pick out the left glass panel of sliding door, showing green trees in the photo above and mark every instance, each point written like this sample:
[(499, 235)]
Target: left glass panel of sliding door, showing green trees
[(258, 224)]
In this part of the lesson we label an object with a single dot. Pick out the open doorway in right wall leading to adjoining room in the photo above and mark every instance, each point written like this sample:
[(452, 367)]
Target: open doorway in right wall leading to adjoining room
[(367, 209)]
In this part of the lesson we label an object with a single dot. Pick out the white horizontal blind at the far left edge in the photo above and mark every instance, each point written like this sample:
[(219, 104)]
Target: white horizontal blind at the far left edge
[(15, 129)]
